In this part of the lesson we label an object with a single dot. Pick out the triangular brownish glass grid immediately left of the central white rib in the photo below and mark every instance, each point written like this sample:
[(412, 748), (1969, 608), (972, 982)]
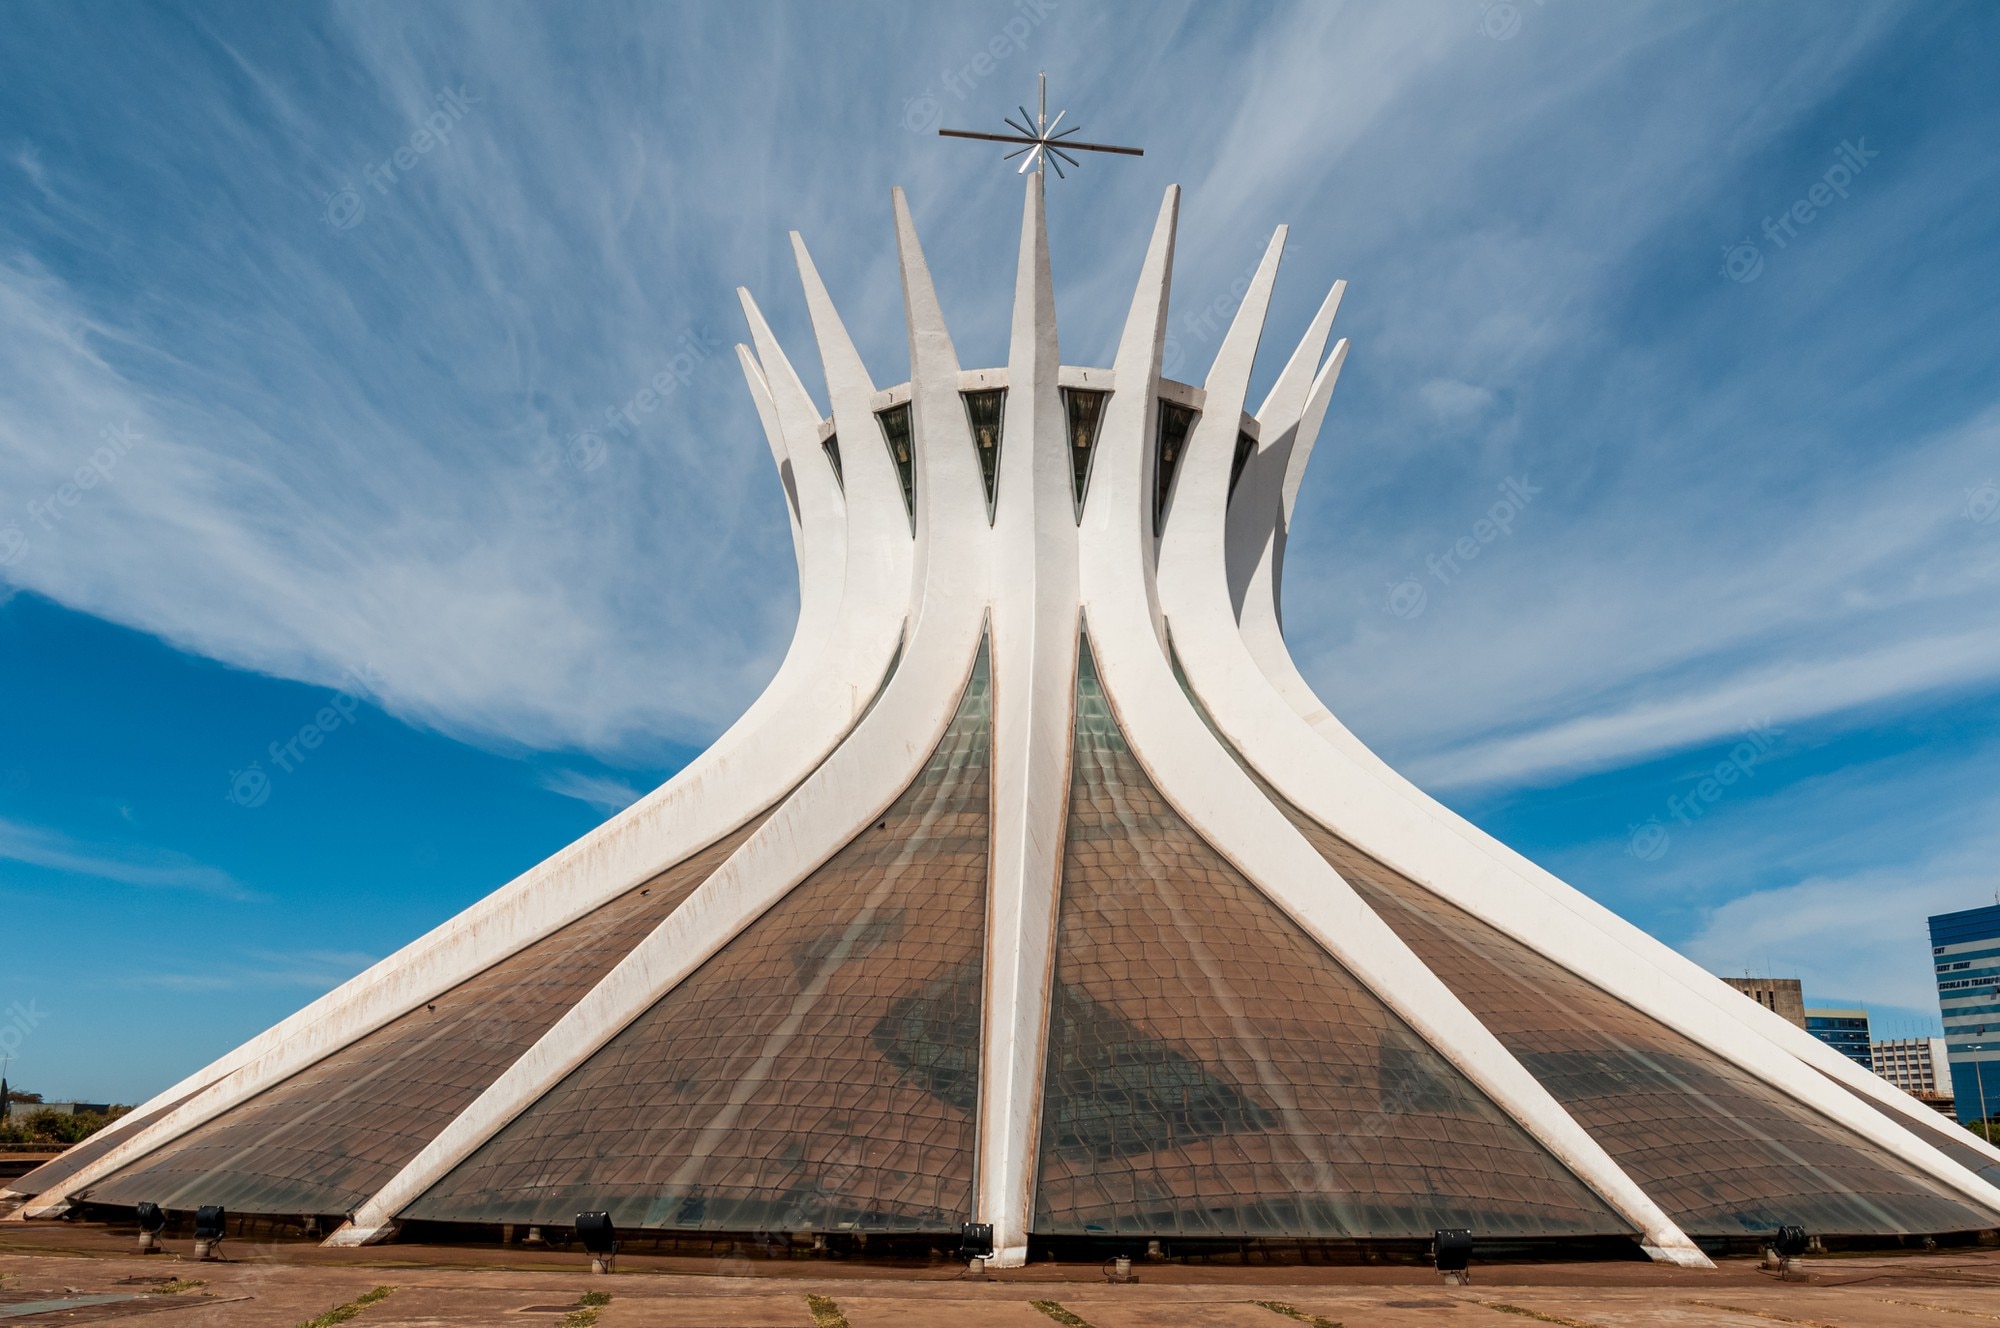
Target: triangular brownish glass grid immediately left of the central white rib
[(819, 1073)]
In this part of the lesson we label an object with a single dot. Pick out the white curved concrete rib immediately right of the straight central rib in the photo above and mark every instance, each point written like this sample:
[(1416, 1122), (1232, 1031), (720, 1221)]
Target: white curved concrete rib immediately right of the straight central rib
[(1225, 807)]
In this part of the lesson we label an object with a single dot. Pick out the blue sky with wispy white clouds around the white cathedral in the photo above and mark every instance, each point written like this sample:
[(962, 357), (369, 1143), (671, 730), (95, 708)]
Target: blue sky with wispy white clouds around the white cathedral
[(357, 447)]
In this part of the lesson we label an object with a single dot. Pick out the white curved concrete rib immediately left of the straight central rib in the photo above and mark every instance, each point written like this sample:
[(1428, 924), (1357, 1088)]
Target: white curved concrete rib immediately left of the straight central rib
[(869, 771)]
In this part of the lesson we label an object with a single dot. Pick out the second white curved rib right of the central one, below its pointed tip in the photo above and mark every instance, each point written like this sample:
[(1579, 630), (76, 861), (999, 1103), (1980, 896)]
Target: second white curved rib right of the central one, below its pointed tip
[(1353, 793)]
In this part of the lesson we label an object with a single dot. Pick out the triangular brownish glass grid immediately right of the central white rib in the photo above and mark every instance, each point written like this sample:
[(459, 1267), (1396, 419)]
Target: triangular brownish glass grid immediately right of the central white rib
[(1215, 1073)]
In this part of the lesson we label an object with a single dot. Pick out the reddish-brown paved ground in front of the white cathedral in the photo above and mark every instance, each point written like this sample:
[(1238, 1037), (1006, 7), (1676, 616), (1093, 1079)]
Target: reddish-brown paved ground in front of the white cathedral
[(73, 1275)]
